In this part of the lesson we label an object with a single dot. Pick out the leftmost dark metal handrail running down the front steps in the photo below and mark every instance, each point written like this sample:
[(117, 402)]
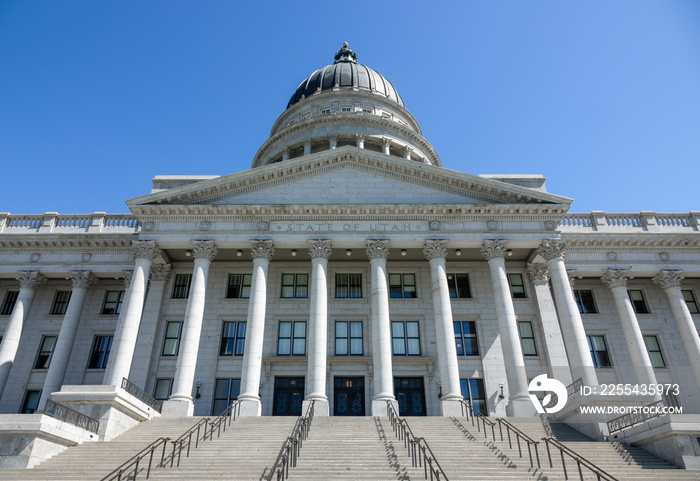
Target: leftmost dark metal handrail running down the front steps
[(201, 431)]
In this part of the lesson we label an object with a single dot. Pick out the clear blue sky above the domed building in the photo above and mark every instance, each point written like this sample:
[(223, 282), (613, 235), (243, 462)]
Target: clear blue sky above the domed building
[(601, 97)]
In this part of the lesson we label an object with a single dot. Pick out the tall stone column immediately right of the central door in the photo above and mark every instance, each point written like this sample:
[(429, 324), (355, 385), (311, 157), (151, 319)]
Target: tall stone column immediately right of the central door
[(378, 251)]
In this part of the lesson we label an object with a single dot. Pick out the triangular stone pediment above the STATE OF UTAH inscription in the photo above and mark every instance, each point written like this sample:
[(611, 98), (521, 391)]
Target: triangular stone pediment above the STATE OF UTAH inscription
[(348, 176)]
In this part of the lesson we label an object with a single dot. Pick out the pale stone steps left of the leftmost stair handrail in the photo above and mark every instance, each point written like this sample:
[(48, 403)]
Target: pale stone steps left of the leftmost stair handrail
[(93, 461)]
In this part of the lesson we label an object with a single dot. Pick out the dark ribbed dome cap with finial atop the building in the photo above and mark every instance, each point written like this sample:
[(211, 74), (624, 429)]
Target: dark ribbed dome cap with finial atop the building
[(345, 73)]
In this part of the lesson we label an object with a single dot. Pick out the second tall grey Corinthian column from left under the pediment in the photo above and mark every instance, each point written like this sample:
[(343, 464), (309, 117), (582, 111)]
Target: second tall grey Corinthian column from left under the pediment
[(180, 402)]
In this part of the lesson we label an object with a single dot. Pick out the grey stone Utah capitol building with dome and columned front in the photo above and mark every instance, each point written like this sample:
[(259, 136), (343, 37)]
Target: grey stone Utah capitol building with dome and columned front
[(349, 266)]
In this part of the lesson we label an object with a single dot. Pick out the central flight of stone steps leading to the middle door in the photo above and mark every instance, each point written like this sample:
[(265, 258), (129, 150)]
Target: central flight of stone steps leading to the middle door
[(353, 448)]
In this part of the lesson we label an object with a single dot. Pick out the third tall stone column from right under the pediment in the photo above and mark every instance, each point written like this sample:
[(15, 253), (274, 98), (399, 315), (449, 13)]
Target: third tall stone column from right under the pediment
[(450, 402)]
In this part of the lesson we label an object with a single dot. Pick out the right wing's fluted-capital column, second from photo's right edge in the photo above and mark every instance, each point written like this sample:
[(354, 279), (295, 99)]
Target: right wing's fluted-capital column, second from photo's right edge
[(616, 281)]
